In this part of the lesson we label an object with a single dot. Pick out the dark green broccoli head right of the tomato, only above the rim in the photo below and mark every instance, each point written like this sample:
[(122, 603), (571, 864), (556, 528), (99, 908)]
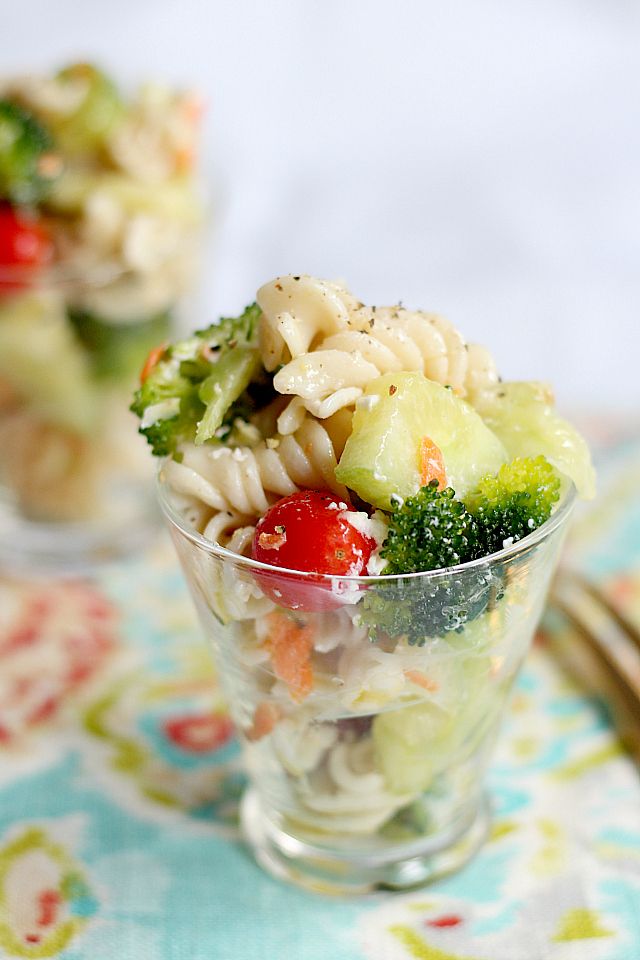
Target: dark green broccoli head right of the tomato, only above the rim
[(429, 531)]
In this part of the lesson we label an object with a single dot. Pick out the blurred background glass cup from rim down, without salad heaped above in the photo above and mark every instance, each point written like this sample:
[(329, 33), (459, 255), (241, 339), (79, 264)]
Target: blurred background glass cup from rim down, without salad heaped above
[(76, 485)]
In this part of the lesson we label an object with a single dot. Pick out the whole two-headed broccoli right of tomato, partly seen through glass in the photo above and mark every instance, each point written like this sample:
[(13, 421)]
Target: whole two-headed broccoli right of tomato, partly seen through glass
[(433, 530)]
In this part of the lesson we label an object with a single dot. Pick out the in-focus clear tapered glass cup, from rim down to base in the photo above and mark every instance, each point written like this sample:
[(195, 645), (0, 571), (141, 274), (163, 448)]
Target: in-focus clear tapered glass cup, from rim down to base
[(366, 753)]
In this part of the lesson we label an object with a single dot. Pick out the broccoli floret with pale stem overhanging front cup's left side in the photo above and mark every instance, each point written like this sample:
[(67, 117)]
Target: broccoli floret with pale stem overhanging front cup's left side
[(197, 380)]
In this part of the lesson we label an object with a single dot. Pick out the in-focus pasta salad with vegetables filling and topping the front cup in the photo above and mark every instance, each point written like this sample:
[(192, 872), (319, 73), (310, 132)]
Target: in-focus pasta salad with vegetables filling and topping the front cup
[(326, 455)]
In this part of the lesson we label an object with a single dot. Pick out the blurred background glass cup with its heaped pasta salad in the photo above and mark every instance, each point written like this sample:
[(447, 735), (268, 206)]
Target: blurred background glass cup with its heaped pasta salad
[(101, 219)]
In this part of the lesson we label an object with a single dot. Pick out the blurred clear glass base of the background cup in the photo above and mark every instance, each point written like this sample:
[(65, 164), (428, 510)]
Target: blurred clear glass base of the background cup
[(72, 548)]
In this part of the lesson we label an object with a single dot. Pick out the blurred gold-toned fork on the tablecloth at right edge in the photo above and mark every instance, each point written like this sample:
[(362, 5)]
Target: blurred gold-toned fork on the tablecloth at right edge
[(601, 649)]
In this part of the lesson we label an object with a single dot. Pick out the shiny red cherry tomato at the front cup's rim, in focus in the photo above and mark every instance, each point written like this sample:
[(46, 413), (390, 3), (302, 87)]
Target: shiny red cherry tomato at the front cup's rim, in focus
[(309, 531)]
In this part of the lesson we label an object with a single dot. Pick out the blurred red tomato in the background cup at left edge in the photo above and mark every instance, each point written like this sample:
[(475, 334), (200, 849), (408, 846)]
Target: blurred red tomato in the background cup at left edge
[(25, 248)]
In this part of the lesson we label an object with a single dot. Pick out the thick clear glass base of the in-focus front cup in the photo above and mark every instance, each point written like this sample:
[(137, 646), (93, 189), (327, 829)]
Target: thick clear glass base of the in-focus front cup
[(405, 867)]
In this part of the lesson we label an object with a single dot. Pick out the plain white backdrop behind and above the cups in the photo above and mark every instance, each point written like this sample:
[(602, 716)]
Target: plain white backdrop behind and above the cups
[(480, 157)]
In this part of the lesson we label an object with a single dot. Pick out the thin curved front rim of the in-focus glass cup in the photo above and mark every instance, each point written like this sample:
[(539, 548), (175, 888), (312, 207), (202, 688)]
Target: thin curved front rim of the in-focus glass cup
[(557, 518)]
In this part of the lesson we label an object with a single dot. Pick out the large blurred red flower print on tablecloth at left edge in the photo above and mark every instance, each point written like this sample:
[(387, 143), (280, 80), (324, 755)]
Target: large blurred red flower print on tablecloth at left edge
[(53, 640)]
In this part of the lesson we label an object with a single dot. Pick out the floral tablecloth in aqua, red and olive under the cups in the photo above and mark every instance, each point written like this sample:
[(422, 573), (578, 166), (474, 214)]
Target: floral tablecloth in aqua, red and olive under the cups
[(120, 777)]
